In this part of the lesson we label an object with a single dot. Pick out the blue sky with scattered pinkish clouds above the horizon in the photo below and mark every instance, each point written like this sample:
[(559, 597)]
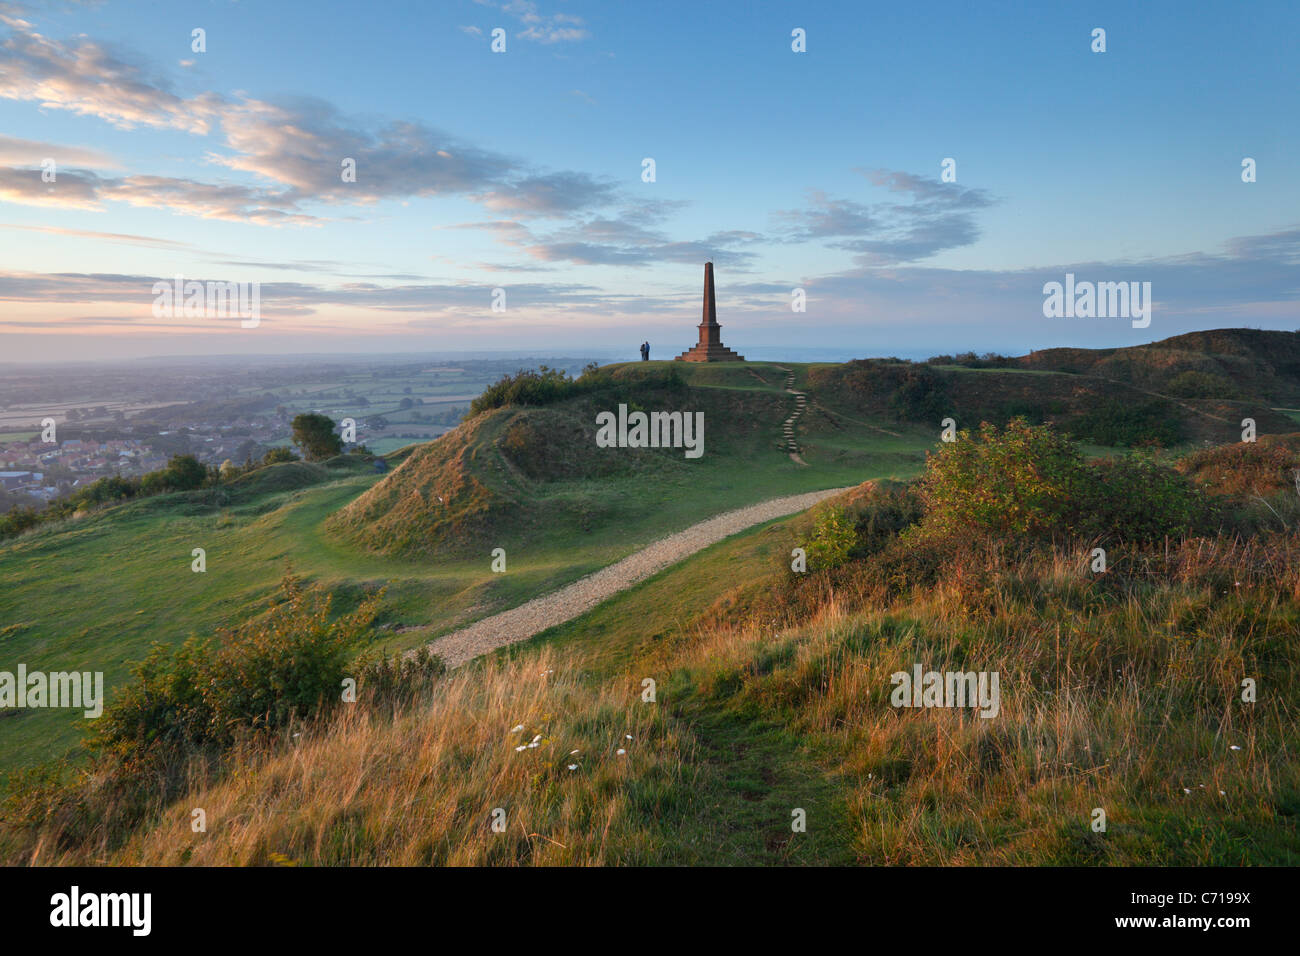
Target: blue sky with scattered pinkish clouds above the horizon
[(522, 171)]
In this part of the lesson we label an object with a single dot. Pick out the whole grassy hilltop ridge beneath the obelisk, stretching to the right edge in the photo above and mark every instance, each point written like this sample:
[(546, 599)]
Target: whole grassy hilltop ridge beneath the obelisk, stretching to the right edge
[(525, 477)]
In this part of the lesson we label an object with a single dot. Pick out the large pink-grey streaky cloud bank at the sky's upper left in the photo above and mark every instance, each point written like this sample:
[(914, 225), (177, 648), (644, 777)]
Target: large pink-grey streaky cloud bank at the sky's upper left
[(298, 146)]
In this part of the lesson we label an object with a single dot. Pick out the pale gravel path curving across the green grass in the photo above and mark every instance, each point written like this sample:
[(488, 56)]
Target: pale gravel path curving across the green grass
[(536, 616)]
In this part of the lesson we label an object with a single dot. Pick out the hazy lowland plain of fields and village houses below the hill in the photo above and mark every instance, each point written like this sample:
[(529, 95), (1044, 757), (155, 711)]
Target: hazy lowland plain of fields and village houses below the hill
[(220, 410)]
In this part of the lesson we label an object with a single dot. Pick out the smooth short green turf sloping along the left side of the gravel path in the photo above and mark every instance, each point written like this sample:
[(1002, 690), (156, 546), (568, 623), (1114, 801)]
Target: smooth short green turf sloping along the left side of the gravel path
[(97, 592)]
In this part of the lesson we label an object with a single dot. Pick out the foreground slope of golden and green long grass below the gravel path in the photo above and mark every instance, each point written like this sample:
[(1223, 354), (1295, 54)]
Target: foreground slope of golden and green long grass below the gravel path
[(1107, 703)]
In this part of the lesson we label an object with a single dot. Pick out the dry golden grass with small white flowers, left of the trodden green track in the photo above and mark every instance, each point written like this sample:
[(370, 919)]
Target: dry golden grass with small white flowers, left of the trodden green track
[(421, 788)]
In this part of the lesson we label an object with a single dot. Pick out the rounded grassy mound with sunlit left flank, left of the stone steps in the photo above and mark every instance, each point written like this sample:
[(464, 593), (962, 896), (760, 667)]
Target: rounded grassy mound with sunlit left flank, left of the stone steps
[(523, 475)]
